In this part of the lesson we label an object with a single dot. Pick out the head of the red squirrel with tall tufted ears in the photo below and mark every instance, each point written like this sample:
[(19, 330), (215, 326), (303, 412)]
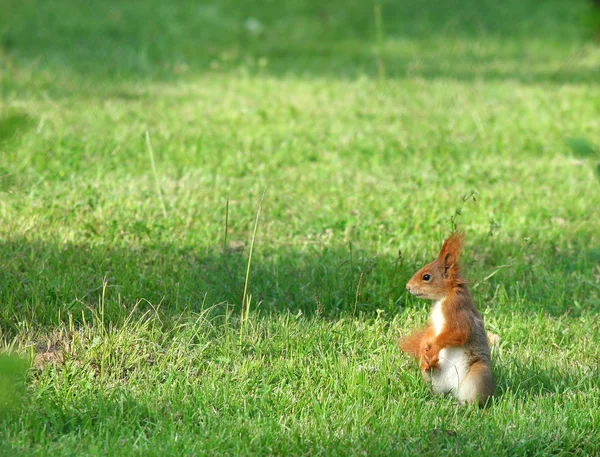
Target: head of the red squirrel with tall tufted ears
[(436, 279)]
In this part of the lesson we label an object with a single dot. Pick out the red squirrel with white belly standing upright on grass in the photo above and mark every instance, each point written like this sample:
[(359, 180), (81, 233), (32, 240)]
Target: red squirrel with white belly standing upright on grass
[(452, 349)]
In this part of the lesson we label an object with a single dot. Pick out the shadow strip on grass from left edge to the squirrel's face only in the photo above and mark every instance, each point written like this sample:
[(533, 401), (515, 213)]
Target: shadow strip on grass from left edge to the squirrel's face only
[(39, 282)]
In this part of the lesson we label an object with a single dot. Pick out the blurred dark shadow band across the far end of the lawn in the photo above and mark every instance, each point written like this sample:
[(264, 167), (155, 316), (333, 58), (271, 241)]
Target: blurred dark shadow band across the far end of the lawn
[(128, 41)]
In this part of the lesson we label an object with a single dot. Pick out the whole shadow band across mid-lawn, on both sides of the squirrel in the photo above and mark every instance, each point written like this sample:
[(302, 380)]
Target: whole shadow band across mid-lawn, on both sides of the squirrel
[(42, 284)]
